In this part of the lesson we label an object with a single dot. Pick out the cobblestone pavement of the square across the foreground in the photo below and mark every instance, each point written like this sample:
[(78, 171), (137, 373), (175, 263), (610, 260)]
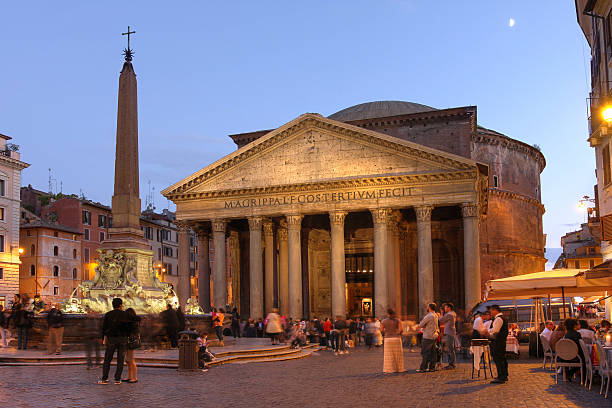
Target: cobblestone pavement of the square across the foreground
[(322, 380)]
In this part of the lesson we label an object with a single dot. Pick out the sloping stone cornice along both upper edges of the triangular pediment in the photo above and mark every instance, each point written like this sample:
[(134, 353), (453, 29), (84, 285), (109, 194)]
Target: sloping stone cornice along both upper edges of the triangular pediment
[(311, 121)]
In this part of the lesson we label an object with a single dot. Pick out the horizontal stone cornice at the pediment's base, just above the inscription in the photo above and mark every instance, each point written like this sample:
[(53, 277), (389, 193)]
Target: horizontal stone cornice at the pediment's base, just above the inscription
[(334, 184)]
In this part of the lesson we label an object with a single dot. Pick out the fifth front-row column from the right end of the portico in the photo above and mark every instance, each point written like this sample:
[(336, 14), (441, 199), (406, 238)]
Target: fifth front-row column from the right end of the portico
[(294, 226)]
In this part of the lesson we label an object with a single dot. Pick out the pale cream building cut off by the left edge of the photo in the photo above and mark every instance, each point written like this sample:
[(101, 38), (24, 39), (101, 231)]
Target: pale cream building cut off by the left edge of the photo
[(10, 205)]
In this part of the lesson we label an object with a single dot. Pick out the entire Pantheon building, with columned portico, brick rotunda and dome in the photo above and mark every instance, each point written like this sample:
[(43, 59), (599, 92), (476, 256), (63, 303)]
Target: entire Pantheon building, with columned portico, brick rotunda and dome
[(383, 204)]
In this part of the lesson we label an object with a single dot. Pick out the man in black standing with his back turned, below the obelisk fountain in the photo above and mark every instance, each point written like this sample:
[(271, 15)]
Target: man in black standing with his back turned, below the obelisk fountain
[(115, 334)]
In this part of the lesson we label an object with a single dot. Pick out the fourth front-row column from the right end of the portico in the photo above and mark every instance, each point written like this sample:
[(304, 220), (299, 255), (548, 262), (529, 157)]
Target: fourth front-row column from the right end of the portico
[(338, 274)]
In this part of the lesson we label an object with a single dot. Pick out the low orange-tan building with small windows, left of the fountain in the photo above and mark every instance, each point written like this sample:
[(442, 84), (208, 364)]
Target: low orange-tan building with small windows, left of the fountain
[(51, 260)]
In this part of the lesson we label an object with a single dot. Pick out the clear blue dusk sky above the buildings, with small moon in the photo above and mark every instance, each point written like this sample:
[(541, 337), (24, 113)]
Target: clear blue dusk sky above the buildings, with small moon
[(209, 69)]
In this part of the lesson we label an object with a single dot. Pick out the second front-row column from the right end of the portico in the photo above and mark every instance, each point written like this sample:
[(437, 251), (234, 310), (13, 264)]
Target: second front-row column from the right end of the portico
[(425, 263)]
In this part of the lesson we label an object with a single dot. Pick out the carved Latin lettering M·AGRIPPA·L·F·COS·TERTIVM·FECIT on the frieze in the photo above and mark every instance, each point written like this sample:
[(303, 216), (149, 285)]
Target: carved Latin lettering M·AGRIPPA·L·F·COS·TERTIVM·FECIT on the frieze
[(313, 198)]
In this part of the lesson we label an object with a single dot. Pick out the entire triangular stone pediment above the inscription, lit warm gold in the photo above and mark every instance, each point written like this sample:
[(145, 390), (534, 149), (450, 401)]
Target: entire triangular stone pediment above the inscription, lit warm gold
[(313, 149)]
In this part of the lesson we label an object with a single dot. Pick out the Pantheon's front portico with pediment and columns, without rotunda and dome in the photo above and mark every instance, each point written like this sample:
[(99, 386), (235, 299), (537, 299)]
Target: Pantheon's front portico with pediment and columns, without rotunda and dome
[(335, 220)]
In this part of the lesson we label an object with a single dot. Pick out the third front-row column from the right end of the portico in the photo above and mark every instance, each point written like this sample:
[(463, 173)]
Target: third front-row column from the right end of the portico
[(381, 288)]
